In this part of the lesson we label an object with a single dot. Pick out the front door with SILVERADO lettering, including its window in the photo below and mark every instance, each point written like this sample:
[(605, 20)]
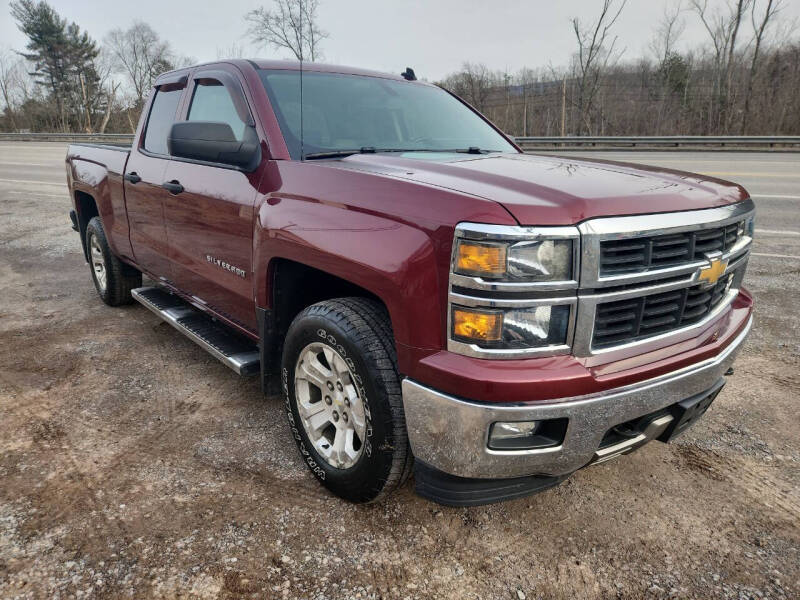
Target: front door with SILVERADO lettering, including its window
[(210, 222)]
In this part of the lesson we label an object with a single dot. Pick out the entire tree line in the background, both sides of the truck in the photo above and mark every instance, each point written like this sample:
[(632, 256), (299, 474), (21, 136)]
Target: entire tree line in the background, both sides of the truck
[(742, 80)]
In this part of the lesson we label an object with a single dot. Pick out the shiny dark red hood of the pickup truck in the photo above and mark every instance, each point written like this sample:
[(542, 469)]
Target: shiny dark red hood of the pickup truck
[(553, 190)]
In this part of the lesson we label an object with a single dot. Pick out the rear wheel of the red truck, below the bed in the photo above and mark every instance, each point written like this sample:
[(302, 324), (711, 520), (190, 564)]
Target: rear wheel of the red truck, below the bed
[(112, 278)]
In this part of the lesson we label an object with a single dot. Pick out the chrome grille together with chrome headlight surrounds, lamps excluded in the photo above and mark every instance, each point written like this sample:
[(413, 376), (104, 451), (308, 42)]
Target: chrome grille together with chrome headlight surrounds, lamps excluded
[(661, 300)]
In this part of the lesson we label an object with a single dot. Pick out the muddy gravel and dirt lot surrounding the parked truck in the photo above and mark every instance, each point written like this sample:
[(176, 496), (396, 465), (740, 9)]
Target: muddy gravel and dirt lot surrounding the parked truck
[(132, 464)]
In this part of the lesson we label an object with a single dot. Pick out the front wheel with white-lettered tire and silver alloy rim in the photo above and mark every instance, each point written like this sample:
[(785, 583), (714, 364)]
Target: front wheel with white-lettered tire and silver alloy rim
[(343, 398)]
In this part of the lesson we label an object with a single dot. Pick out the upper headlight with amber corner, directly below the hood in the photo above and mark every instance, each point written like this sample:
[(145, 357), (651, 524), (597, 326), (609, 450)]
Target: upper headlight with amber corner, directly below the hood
[(534, 260)]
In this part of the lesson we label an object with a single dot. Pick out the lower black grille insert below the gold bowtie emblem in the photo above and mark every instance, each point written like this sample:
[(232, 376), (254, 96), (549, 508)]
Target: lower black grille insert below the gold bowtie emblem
[(633, 319)]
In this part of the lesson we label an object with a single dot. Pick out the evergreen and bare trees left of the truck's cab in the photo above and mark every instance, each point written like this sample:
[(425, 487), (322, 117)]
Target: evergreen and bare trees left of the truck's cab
[(65, 81)]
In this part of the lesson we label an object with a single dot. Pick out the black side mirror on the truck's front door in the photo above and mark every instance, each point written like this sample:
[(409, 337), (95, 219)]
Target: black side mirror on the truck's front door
[(211, 141)]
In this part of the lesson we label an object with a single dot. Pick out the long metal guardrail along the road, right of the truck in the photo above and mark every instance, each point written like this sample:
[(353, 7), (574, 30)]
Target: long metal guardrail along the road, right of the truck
[(724, 142)]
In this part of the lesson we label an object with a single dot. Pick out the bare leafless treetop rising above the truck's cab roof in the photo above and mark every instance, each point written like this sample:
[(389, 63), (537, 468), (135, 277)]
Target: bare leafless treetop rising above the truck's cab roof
[(288, 25)]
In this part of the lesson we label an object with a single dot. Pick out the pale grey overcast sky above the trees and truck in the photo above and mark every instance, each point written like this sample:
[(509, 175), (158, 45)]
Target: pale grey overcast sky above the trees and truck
[(434, 37)]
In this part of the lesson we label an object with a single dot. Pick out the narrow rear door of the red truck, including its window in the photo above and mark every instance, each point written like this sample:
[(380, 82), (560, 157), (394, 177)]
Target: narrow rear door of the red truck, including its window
[(144, 176)]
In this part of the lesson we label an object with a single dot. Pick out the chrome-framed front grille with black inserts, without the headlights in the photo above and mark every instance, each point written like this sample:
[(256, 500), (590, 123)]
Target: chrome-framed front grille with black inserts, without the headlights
[(663, 304)]
